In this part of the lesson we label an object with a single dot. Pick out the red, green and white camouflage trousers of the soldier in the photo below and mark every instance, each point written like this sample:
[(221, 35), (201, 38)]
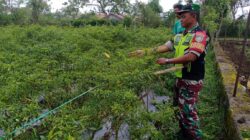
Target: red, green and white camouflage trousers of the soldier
[(187, 94)]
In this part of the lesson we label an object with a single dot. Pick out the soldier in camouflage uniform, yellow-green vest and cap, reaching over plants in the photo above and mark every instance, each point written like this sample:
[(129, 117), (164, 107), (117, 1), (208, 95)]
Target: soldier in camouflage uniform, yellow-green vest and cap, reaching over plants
[(190, 50)]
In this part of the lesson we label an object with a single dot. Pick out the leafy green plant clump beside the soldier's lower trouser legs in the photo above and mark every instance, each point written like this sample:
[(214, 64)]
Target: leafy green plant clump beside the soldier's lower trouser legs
[(160, 125)]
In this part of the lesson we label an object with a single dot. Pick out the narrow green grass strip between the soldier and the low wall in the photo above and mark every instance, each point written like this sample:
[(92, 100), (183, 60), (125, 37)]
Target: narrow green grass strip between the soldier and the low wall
[(211, 107)]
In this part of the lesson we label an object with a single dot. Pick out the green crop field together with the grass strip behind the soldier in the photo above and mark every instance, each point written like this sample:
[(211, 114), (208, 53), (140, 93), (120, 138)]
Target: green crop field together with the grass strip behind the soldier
[(43, 67)]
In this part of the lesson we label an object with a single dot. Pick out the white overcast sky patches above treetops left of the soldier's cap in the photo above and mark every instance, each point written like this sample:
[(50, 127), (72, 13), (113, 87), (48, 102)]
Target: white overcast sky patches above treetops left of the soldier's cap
[(166, 4)]
